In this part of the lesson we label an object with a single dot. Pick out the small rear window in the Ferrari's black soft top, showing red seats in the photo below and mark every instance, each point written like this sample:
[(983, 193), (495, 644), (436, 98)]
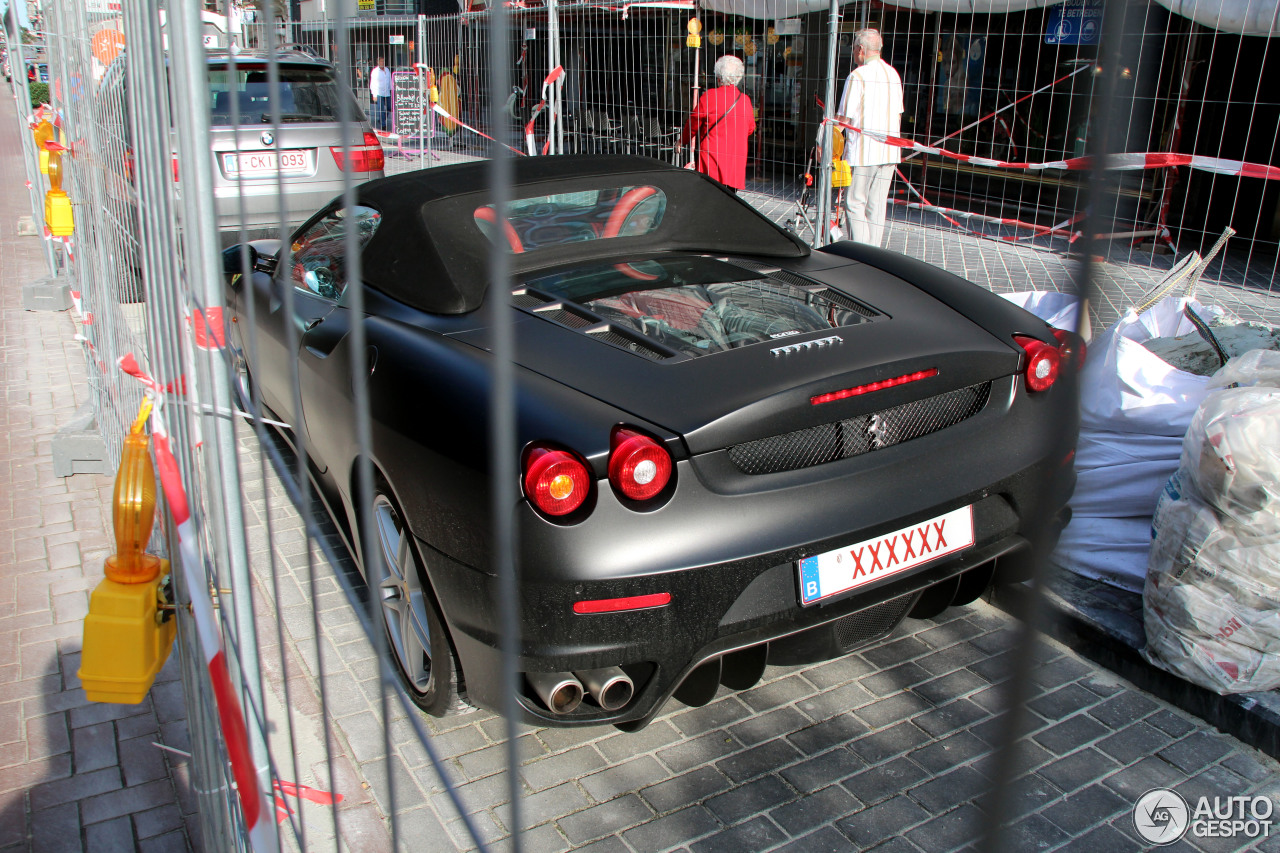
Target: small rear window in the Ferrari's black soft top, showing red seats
[(572, 217)]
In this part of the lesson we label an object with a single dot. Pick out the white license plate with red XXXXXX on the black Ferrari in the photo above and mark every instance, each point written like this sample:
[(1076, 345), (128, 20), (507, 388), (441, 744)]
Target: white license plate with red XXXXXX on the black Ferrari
[(838, 572)]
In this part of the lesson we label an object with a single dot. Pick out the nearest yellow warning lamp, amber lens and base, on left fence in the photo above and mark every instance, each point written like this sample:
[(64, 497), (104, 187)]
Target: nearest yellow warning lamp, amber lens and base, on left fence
[(130, 631)]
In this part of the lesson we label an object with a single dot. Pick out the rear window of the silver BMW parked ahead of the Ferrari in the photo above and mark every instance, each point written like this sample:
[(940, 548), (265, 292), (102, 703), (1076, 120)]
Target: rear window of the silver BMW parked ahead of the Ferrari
[(304, 94)]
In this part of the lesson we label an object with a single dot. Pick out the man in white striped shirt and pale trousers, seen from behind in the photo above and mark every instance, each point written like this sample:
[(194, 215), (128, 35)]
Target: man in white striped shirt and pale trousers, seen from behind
[(874, 102)]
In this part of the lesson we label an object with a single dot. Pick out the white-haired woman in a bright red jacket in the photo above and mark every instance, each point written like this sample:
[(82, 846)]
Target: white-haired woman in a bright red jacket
[(721, 122)]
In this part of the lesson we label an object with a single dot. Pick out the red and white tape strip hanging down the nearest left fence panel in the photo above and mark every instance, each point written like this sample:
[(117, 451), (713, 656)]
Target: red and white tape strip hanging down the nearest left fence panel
[(231, 715)]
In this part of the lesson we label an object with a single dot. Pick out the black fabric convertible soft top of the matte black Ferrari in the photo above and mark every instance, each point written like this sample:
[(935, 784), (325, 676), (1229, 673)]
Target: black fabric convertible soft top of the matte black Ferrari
[(431, 254)]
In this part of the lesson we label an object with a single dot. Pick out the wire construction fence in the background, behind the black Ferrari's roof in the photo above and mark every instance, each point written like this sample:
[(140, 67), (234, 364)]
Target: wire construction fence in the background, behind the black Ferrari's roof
[(1003, 102)]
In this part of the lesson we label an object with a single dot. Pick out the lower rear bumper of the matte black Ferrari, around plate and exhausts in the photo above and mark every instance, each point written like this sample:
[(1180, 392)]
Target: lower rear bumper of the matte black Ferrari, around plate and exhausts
[(715, 610)]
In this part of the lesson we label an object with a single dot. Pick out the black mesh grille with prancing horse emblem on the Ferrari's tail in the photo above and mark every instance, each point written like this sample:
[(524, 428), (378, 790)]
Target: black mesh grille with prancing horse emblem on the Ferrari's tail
[(862, 435)]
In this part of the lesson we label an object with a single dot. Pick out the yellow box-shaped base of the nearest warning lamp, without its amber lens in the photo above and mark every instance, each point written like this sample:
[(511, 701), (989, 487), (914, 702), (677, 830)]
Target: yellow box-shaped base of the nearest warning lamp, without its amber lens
[(125, 644)]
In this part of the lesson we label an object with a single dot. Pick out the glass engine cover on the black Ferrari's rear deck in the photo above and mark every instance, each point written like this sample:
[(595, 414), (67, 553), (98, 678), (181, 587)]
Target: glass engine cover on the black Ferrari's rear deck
[(700, 305)]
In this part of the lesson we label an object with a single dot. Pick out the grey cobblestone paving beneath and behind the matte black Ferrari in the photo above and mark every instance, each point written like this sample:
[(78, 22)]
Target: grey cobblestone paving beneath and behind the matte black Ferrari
[(889, 749)]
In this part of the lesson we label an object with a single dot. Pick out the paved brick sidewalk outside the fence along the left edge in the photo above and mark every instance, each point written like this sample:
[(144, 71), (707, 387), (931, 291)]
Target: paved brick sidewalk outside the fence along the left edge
[(74, 776)]
